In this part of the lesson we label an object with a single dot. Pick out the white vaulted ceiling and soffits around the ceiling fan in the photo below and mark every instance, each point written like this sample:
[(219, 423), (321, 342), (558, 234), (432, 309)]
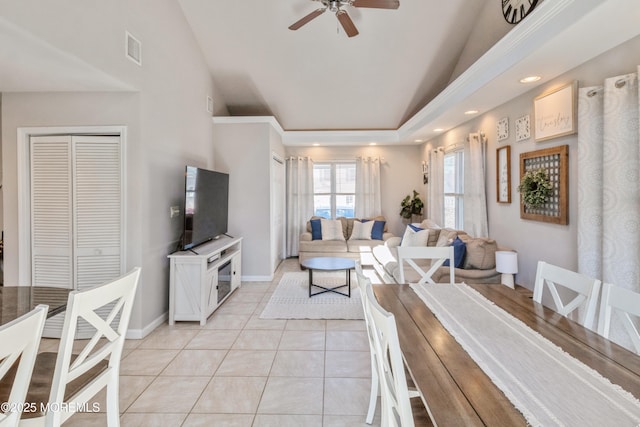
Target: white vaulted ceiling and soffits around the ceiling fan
[(403, 76)]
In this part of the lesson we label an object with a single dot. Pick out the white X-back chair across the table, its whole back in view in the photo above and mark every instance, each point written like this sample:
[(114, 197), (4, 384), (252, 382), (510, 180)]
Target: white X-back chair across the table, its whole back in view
[(585, 291)]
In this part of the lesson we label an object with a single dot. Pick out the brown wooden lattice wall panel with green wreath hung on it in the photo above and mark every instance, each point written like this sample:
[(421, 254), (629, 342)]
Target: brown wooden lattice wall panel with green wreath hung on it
[(550, 165)]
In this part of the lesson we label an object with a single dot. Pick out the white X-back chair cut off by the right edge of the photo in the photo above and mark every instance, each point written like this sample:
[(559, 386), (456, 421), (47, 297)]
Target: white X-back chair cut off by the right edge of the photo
[(624, 302)]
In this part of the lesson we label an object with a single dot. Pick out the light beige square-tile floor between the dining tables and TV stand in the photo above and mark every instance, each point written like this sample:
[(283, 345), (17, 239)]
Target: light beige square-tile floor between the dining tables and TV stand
[(239, 370)]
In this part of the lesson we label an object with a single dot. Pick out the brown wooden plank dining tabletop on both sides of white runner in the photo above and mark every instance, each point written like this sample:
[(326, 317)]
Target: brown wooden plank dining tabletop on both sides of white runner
[(455, 389)]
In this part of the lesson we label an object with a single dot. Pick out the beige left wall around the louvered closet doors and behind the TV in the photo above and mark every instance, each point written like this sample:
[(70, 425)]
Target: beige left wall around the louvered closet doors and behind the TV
[(168, 125)]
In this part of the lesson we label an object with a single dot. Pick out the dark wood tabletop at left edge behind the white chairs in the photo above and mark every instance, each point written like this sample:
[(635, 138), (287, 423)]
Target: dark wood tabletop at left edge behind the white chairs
[(18, 300)]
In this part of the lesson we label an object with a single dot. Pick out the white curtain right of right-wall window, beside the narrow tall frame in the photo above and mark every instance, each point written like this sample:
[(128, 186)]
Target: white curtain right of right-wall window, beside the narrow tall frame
[(475, 195)]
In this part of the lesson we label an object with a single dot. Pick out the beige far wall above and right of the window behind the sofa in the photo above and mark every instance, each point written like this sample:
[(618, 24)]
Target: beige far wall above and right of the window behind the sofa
[(400, 173)]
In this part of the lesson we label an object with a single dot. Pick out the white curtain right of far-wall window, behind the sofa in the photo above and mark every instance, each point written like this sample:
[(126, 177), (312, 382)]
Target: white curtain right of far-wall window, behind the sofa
[(367, 187)]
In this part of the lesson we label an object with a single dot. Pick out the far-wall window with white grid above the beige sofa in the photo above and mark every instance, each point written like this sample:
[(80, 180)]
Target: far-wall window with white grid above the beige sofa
[(334, 189)]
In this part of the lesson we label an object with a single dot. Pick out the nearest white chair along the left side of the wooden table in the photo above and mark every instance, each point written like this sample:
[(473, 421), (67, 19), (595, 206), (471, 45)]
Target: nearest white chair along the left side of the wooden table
[(396, 407)]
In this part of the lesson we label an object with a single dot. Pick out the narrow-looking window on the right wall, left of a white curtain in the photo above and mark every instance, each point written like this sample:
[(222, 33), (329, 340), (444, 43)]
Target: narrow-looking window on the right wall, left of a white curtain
[(454, 190)]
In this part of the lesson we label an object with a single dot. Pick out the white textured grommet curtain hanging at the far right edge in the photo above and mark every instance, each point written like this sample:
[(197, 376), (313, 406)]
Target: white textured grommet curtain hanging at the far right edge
[(609, 186)]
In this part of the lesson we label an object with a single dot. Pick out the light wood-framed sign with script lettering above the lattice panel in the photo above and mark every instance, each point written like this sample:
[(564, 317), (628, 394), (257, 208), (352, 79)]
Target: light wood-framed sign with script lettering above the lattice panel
[(555, 113)]
